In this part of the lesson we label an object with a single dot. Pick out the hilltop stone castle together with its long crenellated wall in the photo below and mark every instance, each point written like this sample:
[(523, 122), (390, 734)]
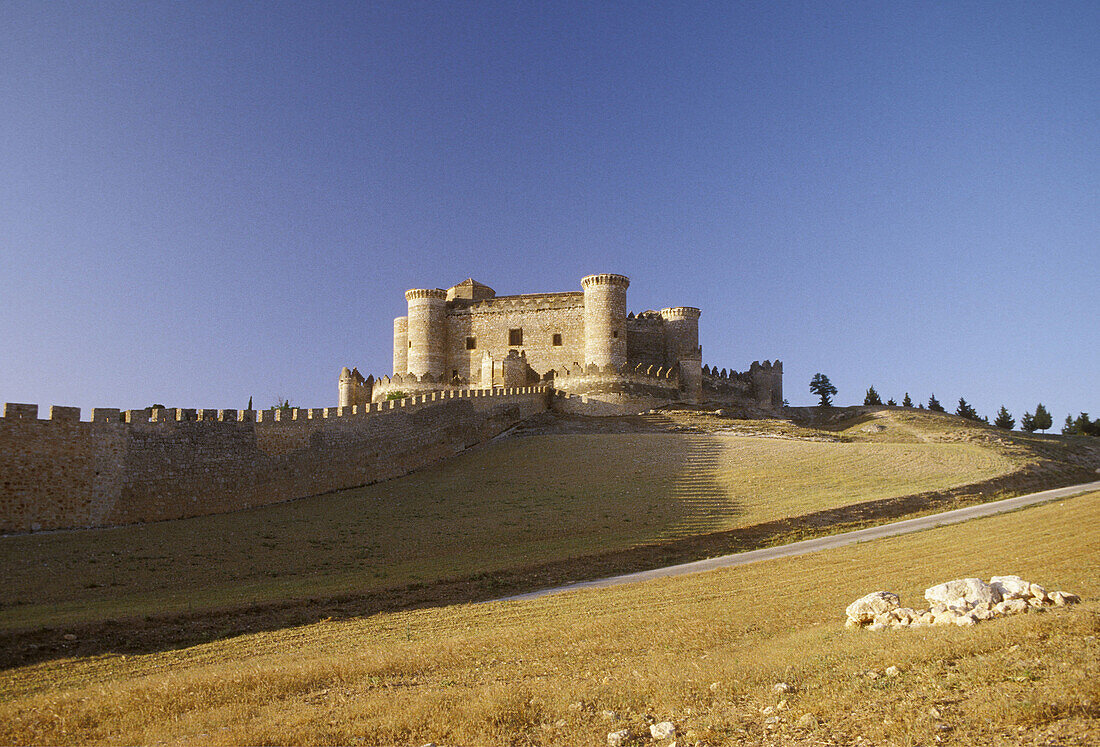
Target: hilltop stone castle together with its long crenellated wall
[(468, 366)]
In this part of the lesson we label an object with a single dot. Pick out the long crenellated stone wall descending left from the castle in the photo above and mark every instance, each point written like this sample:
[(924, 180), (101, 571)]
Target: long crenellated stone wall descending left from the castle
[(152, 465)]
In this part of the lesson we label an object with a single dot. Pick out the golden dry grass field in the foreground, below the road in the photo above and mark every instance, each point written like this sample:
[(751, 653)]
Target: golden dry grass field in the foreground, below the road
[(702, 652)]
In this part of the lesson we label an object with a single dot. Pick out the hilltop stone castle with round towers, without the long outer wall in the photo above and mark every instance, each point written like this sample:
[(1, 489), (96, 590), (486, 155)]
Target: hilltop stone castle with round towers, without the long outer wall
[(579, 343)]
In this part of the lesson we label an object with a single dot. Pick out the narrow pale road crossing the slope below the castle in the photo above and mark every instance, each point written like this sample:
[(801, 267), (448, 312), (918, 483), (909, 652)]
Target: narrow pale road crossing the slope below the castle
[(823, 543)]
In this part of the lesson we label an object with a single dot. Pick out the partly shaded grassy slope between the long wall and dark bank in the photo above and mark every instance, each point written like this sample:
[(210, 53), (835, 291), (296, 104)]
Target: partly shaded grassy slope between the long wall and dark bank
[(512, 503)]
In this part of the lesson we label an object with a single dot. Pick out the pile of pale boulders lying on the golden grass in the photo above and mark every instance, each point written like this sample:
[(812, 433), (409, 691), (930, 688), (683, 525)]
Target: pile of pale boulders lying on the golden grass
[(961, 602)]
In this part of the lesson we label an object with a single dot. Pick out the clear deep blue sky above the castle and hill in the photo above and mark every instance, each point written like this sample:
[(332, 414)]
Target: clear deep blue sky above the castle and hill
[(202, 203)]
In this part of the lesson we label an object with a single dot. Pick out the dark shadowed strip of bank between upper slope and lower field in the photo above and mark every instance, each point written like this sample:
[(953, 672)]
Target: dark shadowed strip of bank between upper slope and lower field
[(173, 632)]
